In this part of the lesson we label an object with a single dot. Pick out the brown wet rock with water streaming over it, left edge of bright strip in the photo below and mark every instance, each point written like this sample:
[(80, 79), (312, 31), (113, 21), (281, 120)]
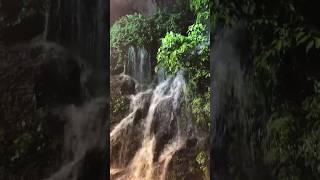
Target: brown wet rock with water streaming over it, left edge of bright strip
[(122, 148)]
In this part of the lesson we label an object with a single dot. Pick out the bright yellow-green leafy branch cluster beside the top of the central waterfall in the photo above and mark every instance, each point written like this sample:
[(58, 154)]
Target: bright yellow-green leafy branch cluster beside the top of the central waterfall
[(190, 53)]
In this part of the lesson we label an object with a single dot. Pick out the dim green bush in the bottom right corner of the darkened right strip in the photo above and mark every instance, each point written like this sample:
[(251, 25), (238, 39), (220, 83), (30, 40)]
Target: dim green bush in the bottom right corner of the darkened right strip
[(292, 141)]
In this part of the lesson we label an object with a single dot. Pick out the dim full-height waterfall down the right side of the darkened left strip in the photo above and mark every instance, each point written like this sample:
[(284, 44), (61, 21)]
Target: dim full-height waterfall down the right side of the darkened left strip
[(80, 26)]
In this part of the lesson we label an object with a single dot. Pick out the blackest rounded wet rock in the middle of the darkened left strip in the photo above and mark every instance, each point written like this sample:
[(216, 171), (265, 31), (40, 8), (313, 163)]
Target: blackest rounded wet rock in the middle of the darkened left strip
[(59, 81)]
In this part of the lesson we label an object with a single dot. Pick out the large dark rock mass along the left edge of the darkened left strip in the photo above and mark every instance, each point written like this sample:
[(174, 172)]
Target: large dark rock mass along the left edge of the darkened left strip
[(33, 78)]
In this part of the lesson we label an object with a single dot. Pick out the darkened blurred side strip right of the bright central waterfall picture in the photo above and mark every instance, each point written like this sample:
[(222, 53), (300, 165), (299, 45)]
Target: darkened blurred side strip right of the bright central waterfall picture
[(265, 69)]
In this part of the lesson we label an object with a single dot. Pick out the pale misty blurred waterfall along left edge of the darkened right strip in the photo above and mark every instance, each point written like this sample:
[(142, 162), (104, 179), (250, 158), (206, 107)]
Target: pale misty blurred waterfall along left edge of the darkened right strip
[(229, 90)]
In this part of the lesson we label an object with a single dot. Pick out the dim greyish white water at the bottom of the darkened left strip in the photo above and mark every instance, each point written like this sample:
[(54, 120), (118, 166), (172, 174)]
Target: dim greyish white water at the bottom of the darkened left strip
[(82, 134)]
